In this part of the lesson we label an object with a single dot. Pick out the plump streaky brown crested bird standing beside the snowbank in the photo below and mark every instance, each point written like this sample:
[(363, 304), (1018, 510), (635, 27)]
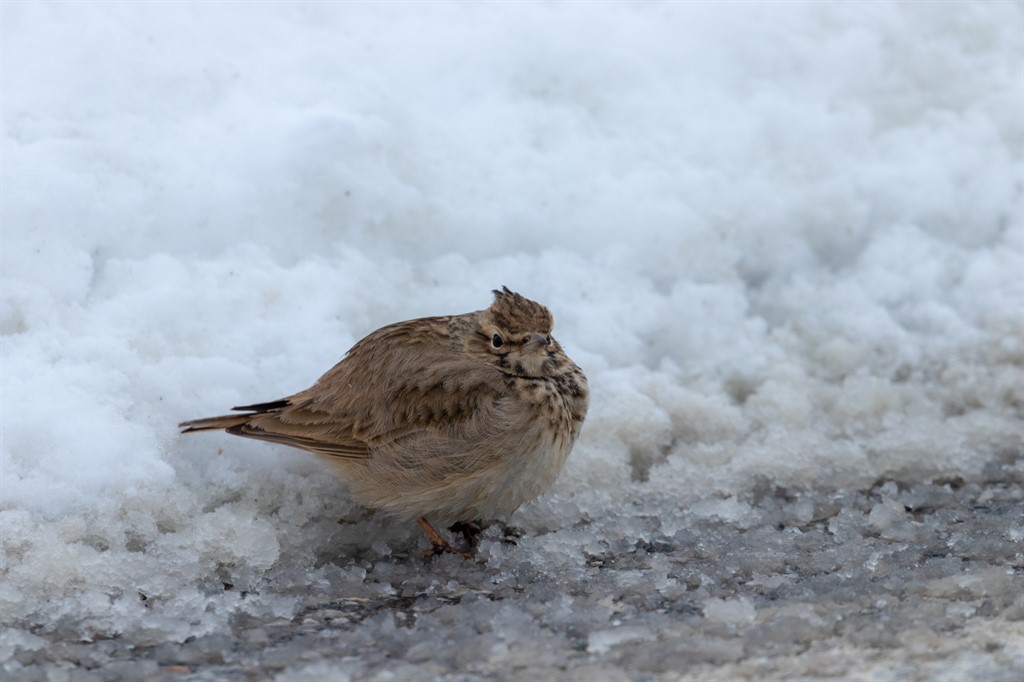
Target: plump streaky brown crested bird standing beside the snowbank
[(459, 418)]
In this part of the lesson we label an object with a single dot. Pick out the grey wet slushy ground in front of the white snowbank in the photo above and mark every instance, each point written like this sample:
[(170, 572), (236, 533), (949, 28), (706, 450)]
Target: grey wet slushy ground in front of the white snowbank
[(898, 583)]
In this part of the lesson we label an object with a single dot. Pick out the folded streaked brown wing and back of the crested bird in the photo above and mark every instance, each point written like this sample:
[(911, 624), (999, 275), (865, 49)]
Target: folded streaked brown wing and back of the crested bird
[(404, 381)]
